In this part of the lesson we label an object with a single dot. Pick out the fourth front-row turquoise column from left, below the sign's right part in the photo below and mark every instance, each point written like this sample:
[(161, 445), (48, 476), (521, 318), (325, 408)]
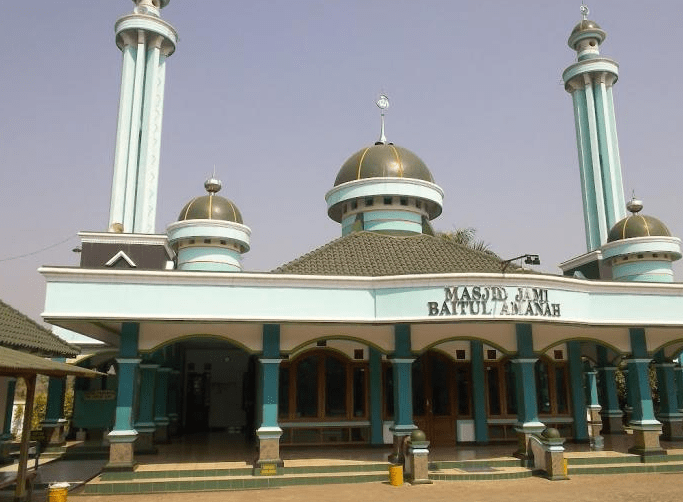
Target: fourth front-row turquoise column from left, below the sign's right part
[(525, 385)]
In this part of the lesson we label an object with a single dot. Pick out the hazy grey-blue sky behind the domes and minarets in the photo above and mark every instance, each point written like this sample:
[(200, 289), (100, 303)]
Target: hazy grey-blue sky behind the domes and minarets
[(277, 94)]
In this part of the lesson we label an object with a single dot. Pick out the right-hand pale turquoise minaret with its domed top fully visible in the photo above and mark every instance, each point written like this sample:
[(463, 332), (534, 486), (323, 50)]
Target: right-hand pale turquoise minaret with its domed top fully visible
[(590, 82)]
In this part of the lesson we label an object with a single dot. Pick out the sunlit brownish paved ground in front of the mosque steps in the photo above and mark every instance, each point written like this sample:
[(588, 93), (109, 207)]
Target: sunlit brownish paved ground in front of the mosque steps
[(620, 488)]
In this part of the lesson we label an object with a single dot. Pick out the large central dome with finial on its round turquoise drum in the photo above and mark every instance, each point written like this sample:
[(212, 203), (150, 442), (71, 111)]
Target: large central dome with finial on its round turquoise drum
[(384, 188)]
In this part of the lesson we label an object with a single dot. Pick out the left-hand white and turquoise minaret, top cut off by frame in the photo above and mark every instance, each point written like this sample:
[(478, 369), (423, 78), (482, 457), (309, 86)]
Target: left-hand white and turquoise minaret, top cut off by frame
[(145, 41)]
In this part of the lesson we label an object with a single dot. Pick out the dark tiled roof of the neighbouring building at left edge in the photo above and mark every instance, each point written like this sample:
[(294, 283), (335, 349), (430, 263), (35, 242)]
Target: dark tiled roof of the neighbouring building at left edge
[(21, 333)]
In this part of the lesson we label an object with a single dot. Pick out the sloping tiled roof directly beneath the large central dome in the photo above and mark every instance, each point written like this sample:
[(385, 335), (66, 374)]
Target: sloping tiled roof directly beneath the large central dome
[(374, 254)]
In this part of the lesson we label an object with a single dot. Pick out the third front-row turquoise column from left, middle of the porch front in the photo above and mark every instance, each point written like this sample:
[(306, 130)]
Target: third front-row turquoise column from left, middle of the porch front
[(402, 361)]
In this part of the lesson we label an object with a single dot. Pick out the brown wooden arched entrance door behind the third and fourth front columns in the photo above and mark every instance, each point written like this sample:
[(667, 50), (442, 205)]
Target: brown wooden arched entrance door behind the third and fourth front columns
[(441, 395)]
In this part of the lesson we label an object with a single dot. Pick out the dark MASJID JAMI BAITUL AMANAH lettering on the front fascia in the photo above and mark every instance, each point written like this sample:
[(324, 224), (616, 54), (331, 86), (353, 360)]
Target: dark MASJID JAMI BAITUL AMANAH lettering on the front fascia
[(494, 301)]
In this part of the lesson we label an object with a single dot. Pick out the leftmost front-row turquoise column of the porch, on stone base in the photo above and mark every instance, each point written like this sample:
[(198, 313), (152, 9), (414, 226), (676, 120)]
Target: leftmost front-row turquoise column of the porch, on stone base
[(122, 437)]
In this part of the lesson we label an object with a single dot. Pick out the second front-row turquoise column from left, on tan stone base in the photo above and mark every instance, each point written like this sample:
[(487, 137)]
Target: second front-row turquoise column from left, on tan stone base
[(269, 432)]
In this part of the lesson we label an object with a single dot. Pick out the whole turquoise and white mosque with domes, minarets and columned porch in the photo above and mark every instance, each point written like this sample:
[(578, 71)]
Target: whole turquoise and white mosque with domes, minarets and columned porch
[(387, 328)]
